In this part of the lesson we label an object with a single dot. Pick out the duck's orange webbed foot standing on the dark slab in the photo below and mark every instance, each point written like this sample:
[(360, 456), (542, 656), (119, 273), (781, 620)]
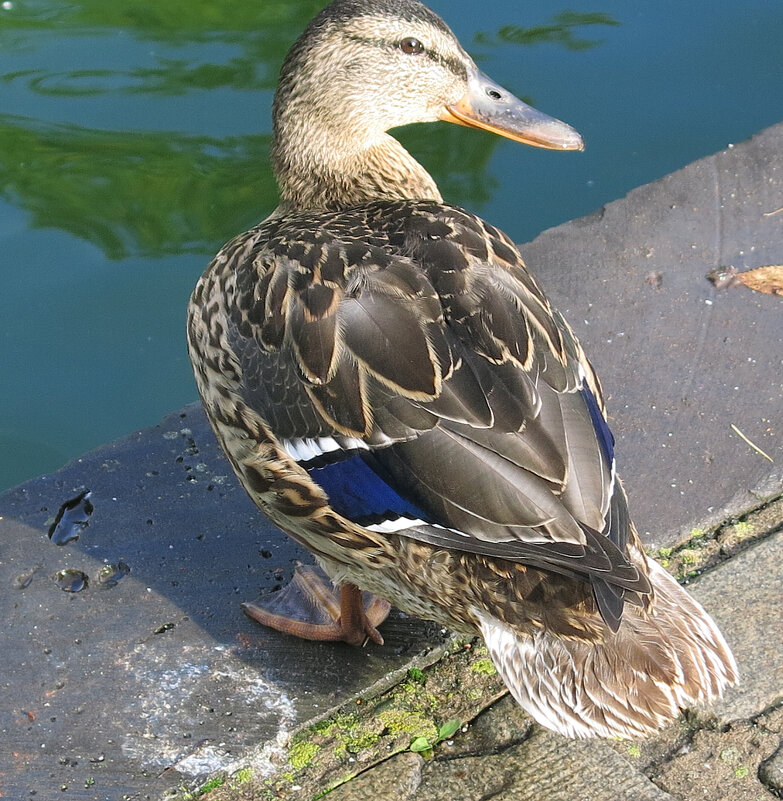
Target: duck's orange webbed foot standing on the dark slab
[(310, 607)]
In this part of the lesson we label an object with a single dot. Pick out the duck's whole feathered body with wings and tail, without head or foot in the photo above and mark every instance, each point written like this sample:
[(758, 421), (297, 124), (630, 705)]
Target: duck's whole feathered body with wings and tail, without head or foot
[(396, 393)]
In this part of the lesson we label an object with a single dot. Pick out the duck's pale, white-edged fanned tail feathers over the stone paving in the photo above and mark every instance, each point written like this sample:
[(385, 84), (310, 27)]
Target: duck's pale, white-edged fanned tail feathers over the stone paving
[(629, 685)]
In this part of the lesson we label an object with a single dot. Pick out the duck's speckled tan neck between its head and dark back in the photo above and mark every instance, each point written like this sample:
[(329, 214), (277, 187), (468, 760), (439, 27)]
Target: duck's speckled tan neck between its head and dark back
[(317, 170)]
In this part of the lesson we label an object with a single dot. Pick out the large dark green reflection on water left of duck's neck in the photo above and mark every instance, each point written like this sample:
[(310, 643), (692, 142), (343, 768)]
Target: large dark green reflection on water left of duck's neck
[(141, 193)]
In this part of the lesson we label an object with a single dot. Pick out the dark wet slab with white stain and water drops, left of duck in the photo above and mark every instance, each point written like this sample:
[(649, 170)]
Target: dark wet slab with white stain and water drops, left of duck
[(133, 686)]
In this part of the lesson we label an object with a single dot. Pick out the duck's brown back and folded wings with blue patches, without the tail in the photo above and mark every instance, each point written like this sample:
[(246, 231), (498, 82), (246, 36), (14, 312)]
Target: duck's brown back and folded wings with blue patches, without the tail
[(401, 354)]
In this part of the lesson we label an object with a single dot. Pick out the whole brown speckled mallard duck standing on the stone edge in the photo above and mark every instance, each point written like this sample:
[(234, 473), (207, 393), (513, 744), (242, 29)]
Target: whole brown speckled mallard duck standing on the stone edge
[(396, 393)]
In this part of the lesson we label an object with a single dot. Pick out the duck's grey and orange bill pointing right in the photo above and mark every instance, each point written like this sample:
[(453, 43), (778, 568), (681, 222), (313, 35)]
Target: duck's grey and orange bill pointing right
[(491, 107)]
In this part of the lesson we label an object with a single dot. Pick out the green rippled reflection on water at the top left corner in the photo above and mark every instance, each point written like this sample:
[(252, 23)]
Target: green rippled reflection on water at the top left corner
[(261, 32)]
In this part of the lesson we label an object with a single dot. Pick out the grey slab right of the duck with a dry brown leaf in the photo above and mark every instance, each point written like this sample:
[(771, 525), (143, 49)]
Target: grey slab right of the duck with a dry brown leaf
[(681, 361)]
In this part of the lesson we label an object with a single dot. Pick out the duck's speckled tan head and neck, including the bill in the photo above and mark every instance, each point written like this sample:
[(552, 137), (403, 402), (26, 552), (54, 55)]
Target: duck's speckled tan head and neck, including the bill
[(362, 67)]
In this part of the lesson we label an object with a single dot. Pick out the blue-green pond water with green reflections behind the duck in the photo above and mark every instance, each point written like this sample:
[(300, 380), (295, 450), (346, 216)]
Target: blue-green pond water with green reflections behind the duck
[(133, 143)]
